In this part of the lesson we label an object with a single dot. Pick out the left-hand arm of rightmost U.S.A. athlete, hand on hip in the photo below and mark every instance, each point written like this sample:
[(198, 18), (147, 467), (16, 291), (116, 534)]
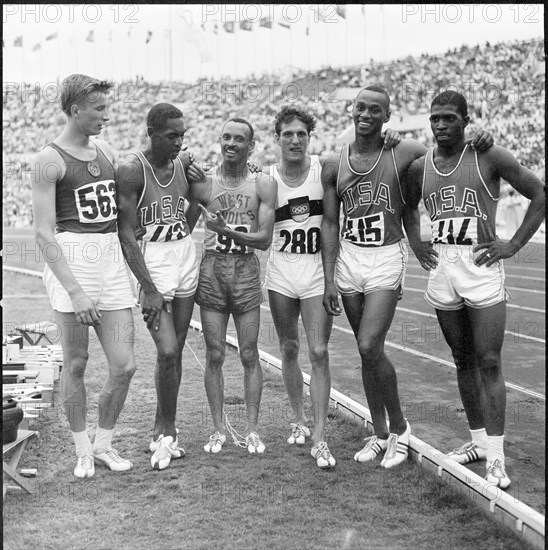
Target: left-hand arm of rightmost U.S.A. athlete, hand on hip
[(424, 251)]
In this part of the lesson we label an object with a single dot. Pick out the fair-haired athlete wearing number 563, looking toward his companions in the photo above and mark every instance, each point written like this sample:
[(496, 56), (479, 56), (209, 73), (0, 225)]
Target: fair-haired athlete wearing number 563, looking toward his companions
[(74, 204)]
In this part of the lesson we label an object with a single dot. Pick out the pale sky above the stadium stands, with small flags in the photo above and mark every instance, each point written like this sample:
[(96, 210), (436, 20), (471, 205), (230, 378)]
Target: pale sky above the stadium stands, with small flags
[(162, 43)]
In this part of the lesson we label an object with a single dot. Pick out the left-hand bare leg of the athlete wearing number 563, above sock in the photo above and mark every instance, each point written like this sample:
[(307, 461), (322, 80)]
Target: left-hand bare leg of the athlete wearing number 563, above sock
[(74, 341)]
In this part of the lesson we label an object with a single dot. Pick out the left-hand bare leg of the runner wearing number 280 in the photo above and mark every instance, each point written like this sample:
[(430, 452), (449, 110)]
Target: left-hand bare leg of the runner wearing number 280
[(285, 314)]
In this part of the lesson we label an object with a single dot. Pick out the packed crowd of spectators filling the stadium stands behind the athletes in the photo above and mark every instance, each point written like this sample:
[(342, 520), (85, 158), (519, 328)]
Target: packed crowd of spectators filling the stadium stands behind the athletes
[(502, 83)]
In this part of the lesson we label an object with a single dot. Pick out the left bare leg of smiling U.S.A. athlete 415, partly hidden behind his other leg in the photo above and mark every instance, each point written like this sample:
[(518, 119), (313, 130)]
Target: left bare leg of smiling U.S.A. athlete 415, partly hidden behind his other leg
[(354, 309)]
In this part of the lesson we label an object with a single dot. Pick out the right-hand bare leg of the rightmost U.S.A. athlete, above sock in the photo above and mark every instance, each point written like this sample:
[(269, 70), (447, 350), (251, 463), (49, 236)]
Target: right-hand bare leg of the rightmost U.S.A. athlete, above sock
[(488, 328)]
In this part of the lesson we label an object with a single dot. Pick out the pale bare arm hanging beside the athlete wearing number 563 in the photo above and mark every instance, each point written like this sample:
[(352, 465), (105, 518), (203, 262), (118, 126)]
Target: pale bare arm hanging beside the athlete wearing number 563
[(43, 204)]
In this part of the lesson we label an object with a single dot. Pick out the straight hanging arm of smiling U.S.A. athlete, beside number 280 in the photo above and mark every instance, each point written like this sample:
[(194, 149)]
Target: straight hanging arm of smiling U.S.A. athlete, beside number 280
[(330, 233)]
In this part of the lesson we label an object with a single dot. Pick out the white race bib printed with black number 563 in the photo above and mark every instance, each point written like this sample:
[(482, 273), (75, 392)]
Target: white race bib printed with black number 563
[(96, 202)]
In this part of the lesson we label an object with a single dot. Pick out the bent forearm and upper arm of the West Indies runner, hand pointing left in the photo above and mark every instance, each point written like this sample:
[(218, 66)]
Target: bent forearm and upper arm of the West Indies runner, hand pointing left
[(267, 192)]
